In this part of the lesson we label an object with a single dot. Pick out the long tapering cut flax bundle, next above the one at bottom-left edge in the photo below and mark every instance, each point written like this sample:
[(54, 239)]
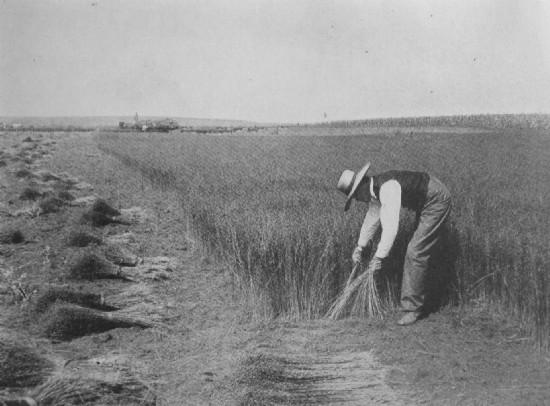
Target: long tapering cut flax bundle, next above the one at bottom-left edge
[(65, 322)]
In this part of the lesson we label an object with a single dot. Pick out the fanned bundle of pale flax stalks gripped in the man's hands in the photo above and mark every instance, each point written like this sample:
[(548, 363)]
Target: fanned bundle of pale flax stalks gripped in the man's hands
[(360, 296)]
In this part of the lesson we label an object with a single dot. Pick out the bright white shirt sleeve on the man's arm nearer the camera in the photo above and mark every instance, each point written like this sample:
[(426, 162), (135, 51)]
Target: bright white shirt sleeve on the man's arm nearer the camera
[(390, 205)]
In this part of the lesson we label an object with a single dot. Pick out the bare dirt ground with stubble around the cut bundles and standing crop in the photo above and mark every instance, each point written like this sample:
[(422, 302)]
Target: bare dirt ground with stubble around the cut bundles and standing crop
[(204, 348)]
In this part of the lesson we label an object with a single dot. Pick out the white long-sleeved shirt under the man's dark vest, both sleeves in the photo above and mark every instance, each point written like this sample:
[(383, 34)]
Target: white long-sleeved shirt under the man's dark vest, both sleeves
[(383, 211)]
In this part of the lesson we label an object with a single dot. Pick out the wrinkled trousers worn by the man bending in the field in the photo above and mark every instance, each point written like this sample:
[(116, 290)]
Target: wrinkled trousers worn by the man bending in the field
[(426, 236)]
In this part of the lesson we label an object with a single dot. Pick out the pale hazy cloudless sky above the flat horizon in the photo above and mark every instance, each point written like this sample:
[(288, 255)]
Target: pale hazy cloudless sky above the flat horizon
[(274, 60)]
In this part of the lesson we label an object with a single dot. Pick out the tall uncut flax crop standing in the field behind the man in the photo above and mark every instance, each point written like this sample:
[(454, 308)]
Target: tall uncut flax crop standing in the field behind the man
[(268, 206)]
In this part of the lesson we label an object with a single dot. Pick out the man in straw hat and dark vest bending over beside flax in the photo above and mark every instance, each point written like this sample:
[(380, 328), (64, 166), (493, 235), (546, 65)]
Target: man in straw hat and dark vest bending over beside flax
[(385, 194)]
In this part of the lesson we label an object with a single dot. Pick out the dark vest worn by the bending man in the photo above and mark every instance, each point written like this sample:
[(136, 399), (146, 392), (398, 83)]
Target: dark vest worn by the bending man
[(414, 187)]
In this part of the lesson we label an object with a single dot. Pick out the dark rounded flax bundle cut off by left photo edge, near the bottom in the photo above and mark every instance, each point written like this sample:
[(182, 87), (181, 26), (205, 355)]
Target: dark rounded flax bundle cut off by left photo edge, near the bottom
[(21, 366)]
